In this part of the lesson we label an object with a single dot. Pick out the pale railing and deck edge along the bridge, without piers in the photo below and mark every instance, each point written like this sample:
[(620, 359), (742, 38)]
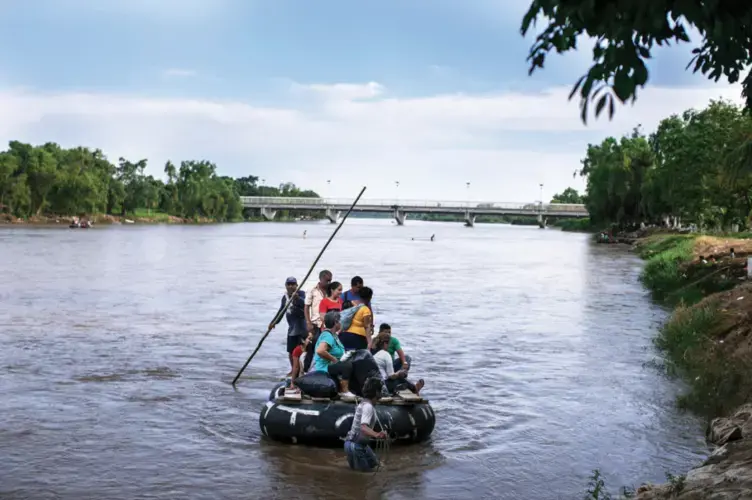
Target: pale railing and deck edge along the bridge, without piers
[(281, 201)]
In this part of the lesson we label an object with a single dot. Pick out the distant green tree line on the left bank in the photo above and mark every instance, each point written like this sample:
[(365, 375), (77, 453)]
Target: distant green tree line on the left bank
[(49, 179)]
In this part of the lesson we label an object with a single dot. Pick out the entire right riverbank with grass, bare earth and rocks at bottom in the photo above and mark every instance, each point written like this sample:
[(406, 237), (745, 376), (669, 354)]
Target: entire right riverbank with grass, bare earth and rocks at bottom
[(708, 343)]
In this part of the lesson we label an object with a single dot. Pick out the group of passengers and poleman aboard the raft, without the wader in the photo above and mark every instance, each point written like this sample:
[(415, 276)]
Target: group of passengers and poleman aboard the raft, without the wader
[(317, 341)]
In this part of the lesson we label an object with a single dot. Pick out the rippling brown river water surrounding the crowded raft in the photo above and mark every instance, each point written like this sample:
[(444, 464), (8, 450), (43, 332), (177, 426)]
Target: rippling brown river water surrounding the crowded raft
[(118, 346)]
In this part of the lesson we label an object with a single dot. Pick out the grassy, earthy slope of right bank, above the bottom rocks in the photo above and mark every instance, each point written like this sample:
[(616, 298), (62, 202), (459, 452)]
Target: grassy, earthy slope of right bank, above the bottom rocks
[(705, 340)]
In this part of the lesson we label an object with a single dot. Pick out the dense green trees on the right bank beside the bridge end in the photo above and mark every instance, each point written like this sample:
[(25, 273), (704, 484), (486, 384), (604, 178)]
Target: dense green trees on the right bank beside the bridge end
[(696, 168)]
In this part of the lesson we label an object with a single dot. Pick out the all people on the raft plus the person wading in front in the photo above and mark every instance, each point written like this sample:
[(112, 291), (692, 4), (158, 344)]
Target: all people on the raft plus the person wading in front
[(325, 327)]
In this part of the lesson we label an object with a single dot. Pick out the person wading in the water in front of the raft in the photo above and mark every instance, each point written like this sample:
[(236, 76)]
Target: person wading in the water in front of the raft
[(360, 456)]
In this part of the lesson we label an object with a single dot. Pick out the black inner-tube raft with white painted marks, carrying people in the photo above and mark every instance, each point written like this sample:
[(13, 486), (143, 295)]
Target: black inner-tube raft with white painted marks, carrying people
[(325, 422)]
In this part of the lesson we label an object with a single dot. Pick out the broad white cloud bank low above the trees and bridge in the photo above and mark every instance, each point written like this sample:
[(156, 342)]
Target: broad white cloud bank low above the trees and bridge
[(504, 144)]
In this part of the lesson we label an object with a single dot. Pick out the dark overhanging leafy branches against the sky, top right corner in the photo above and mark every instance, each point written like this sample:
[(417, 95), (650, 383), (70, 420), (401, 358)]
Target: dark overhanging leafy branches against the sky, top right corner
[(626, 32)]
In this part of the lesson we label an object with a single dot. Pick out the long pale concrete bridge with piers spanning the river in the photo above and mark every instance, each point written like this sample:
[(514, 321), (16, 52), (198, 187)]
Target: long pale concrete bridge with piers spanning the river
[(333, 207)]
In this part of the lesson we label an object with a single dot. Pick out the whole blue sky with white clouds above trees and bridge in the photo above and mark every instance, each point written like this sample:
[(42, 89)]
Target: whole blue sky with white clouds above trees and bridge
[(433, 94)]
